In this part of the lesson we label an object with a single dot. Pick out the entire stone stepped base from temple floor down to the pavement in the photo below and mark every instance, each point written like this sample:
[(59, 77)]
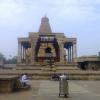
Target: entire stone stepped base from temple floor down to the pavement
[(44, 72)]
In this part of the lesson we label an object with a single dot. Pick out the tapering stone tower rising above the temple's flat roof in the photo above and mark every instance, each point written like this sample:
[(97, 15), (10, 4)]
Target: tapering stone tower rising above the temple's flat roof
[(45, 26)]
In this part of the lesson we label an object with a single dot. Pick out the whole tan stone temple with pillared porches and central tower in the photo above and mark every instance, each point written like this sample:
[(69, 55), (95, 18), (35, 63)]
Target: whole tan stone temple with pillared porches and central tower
[(41, 46)]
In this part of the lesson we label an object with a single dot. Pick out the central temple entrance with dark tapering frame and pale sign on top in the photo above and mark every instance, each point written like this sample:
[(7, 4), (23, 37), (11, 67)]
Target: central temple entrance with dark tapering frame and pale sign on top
[(47, 48)]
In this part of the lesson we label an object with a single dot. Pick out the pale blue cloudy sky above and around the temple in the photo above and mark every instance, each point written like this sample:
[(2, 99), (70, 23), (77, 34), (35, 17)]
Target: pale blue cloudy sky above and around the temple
[(75, 18)]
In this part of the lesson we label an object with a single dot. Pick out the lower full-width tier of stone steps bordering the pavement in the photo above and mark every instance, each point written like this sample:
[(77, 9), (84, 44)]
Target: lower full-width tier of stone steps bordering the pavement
[(45, 75)]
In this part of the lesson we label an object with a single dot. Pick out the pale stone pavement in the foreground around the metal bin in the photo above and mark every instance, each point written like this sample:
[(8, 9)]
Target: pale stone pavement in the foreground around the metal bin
[(49, 90)]
